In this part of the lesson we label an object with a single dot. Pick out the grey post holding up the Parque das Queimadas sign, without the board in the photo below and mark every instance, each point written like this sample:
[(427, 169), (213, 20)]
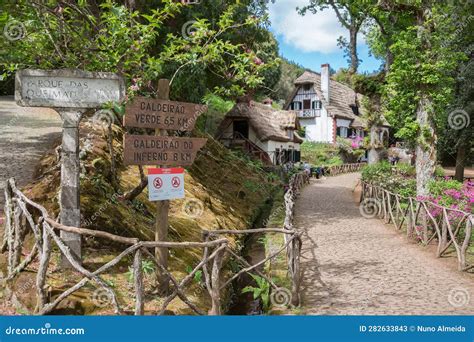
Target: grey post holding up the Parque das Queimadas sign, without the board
[(70, 183)]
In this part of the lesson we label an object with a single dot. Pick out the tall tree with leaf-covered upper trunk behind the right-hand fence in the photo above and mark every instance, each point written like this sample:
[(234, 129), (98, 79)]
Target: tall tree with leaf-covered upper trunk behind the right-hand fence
[(422, 77)]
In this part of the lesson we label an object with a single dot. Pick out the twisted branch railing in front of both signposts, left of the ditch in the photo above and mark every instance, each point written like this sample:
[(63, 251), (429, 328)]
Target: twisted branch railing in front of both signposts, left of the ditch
[(20, 221)]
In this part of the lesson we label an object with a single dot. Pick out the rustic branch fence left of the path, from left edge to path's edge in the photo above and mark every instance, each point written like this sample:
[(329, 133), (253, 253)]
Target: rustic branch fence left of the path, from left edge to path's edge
[(23, 216)]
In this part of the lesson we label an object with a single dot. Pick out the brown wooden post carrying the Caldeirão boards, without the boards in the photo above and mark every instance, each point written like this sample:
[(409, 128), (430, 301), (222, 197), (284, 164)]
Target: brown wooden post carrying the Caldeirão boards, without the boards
[(162, 208)]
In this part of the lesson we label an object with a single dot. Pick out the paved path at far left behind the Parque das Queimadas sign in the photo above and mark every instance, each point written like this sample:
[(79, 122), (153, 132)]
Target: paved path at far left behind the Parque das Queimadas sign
[(25, 135)]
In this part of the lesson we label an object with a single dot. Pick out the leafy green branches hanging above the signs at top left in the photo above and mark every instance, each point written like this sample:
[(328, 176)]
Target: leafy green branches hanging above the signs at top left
[(145, 43)]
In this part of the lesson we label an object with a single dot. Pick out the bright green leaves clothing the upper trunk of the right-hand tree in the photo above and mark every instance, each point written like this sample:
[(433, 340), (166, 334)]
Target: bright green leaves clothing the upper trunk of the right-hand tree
[(423, 66)]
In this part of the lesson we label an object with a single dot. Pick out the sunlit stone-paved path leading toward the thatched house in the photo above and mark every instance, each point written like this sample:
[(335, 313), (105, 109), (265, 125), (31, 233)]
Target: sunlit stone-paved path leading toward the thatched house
[(358, 266)]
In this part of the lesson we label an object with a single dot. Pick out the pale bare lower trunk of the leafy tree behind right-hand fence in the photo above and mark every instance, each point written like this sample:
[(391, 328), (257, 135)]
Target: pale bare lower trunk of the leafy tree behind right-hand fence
[(425, 150)]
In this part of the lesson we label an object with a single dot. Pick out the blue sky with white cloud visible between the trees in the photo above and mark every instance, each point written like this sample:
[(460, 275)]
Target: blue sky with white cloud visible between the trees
[(311, 40)]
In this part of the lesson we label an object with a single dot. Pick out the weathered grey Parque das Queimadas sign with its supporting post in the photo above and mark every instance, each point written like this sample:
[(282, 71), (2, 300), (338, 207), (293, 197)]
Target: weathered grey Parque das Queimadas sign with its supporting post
[(70, 93)]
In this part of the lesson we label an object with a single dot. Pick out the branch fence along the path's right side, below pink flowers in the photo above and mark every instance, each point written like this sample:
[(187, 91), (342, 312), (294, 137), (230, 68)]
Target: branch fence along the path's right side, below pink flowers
[(422, 220)]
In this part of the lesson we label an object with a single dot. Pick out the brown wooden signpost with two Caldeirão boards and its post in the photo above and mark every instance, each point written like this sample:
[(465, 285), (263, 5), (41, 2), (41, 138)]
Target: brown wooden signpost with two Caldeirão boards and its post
[(162, 115)]
